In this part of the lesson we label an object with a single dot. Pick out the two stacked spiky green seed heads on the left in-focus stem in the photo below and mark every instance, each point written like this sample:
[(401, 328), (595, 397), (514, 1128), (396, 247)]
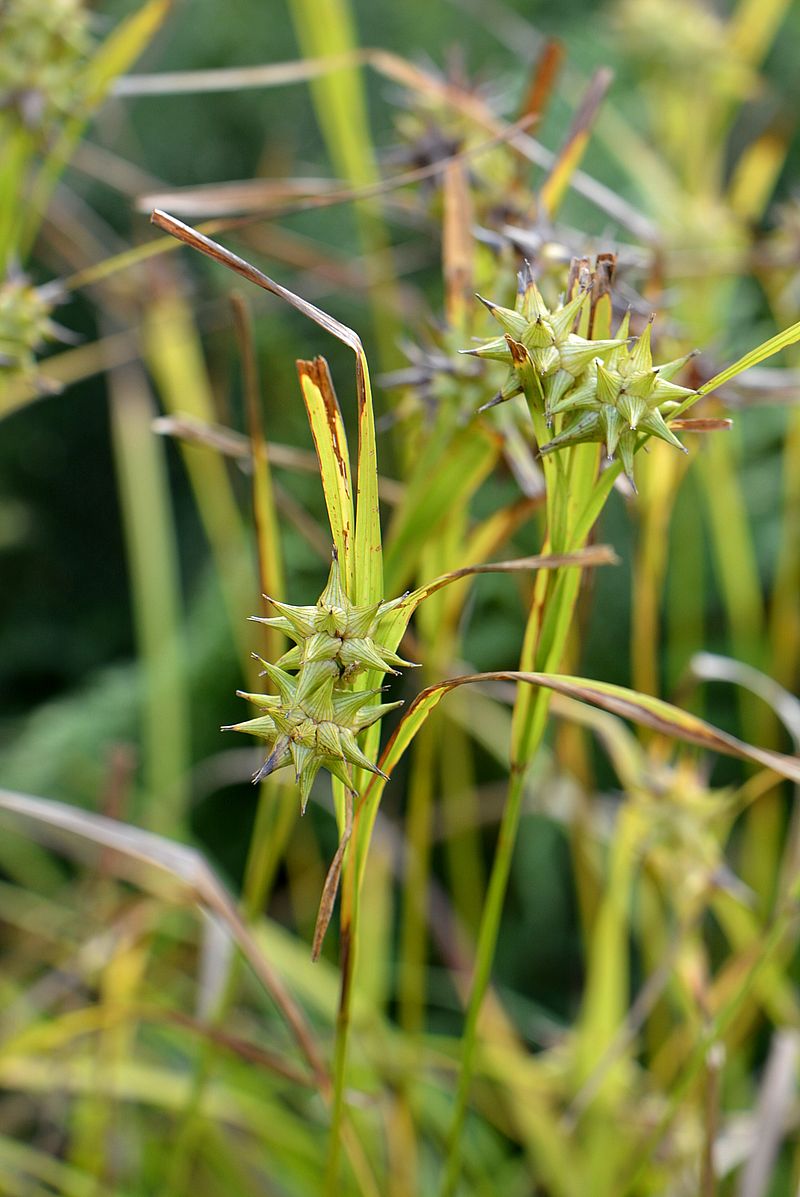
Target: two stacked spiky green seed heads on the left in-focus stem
[(314, 720)]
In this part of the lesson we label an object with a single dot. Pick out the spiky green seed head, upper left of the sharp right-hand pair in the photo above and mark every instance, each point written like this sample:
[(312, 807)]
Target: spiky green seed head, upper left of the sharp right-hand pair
[(541, 343)]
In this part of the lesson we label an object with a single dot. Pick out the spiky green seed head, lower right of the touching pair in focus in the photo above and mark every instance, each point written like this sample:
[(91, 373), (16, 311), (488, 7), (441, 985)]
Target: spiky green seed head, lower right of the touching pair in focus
[(621, 400)]
